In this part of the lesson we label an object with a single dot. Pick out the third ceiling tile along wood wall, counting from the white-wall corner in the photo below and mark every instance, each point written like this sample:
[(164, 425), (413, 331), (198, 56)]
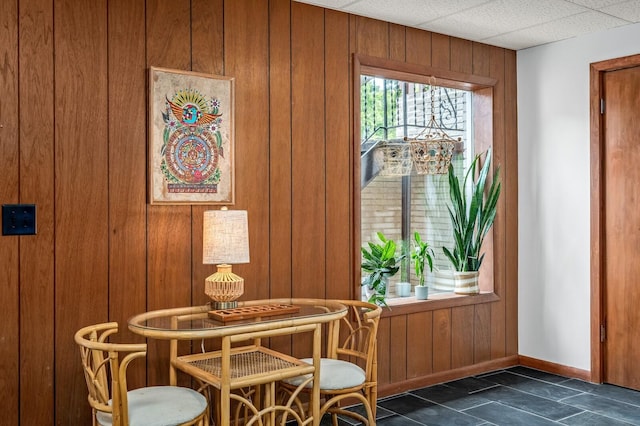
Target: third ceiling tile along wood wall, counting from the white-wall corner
[(410, 12)]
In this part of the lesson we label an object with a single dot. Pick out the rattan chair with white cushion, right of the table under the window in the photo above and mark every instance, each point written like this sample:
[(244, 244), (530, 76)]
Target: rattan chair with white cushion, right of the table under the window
[(349, 372)]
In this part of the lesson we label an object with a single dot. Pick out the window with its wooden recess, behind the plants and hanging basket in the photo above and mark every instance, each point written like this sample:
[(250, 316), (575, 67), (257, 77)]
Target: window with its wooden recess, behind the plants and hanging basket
[(395, 106)]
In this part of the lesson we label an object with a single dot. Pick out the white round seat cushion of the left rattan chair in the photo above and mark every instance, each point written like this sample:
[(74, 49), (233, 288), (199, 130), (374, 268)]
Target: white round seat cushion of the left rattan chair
[(160, 406)]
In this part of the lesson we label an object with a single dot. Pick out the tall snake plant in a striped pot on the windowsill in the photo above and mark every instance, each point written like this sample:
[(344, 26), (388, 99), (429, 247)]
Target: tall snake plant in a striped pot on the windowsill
[(472, 214)]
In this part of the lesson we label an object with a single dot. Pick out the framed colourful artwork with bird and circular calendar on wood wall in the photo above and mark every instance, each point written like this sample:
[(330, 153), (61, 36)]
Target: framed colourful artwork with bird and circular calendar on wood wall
[(191, 138)]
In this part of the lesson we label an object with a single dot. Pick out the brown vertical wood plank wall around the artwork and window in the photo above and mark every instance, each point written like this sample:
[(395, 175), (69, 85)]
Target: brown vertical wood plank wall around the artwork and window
[(73, 128)]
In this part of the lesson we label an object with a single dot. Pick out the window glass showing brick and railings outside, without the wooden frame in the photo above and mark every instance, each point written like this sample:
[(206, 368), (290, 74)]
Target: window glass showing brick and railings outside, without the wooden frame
[(398, 198)]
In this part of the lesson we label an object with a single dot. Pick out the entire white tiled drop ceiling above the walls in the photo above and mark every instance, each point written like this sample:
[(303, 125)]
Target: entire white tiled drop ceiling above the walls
[(505, 23)]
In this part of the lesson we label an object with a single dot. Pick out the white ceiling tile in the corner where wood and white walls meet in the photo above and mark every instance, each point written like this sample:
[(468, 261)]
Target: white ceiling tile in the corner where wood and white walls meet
[(561, 29)]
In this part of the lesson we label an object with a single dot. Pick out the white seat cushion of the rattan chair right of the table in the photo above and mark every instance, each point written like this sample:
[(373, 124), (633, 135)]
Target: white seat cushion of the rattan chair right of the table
[(334, 374)]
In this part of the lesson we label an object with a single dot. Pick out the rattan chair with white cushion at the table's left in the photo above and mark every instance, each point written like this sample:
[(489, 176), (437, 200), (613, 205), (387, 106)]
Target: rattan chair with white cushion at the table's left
[(113, 404)]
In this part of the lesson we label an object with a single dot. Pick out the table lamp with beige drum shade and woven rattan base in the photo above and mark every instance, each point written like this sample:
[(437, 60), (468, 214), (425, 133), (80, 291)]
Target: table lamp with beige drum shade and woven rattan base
[(225, 241)]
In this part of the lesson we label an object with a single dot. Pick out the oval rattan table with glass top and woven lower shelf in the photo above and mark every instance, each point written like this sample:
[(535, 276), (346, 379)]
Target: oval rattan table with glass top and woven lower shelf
[(252, 320)]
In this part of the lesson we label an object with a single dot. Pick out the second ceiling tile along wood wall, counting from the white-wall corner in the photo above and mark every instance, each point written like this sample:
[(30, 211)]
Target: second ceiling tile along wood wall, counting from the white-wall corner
[(501, 16)]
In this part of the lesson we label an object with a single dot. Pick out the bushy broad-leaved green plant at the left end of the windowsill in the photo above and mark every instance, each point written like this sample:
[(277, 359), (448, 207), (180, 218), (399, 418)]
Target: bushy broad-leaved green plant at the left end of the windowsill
[(380, 262)]
